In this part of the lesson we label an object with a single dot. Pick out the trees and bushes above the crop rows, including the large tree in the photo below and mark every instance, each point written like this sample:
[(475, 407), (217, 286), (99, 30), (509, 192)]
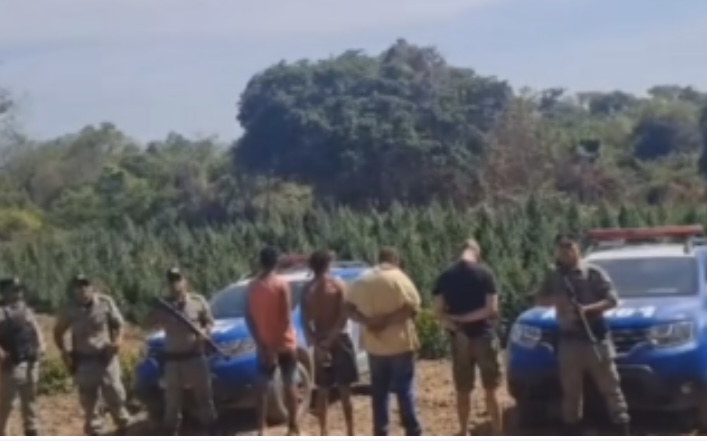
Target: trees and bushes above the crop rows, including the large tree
[(362, 131)]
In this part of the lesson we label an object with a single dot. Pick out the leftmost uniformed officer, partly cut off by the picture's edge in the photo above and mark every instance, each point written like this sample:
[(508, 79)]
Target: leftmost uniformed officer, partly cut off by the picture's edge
[(21, 346)]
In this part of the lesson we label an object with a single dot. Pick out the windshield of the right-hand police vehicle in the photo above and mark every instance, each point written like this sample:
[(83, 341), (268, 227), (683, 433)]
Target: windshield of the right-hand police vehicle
[(653, 276)]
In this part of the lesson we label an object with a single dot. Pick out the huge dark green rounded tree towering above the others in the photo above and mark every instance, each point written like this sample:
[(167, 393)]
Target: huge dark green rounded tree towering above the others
[(343, 125)]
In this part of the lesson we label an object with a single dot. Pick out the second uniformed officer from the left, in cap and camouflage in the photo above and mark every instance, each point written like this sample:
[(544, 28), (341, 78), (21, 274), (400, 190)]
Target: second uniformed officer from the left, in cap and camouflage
[(96, 327)]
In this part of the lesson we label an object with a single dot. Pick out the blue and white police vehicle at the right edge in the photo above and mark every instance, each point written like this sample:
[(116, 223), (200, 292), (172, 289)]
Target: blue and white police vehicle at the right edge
[(659, 329)]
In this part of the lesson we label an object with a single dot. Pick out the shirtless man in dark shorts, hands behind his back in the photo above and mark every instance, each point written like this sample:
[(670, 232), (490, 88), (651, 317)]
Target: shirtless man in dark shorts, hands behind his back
[(325, 322)]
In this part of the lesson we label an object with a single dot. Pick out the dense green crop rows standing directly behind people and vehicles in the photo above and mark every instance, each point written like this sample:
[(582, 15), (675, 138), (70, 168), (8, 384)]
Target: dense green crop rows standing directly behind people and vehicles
[(130, 263)]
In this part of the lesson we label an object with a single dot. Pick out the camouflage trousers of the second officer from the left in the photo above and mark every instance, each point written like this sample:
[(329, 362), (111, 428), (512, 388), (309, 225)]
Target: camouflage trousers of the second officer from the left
[(100, 384)]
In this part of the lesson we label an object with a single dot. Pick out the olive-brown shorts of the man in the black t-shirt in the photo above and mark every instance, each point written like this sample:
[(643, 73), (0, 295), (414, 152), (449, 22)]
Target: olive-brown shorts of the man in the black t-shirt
[(470, 353)]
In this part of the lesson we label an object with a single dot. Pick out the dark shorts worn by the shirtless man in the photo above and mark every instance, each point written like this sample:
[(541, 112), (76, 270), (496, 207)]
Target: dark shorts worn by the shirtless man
[(338, 367)]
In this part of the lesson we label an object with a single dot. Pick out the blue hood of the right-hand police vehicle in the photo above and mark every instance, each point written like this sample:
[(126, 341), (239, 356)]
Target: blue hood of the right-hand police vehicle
[(636, 312)]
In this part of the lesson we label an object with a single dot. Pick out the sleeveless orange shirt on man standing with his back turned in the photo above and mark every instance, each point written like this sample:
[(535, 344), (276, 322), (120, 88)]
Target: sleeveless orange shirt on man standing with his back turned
[(268, 308)]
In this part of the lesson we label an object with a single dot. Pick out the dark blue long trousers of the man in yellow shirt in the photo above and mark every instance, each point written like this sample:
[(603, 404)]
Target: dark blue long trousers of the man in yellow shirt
[(396, 374)]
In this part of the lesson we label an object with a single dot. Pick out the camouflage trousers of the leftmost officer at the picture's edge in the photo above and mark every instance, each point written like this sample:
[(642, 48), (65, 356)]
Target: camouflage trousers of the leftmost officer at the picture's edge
[(19, 381)]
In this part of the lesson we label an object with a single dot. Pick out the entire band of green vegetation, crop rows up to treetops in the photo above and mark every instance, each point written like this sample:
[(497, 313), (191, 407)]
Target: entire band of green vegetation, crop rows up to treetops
[(350, 152)]
